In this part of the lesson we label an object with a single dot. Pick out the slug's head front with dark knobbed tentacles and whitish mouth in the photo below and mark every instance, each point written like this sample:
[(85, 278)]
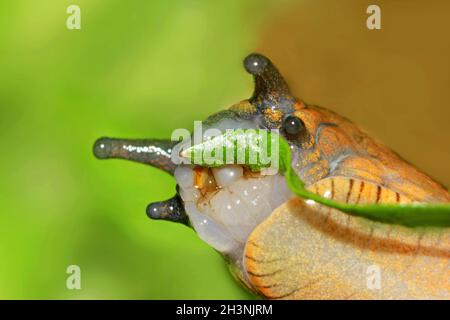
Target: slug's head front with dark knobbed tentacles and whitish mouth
[(202, 193)]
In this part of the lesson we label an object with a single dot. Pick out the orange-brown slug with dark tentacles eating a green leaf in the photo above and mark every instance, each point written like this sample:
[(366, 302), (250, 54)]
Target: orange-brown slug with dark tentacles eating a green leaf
[(281, 246)]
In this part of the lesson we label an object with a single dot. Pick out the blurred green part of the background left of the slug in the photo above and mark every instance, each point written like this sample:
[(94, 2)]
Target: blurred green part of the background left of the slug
[(136, 69)]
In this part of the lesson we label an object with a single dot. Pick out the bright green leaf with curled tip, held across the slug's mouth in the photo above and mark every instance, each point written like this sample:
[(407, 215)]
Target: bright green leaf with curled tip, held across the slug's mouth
[(411, 215)]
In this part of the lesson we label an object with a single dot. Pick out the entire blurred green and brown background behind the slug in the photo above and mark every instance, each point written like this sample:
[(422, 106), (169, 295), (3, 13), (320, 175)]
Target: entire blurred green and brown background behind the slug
[(139, 69)]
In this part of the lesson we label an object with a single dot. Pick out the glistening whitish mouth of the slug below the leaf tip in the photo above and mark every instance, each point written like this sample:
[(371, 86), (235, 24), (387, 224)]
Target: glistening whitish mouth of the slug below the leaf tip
[(225, 204)]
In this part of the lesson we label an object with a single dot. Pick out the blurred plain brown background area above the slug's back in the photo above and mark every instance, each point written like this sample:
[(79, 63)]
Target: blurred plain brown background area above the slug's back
[(392, 82)]
